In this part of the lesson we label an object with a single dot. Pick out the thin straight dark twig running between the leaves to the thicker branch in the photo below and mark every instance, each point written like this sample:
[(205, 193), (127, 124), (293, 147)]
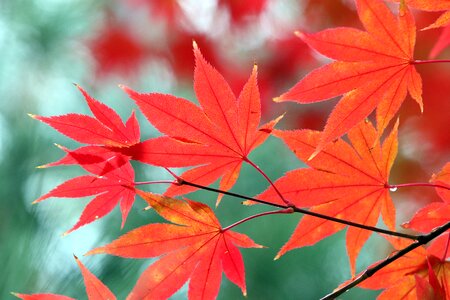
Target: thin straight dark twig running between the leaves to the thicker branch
[(306, 212)]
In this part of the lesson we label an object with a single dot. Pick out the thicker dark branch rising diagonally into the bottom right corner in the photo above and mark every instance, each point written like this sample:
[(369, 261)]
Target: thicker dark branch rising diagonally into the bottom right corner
[(422, 240)]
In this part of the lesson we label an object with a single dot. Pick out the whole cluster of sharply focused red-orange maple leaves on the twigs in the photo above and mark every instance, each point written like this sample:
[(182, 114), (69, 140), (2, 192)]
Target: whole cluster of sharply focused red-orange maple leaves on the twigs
[(346, 180)]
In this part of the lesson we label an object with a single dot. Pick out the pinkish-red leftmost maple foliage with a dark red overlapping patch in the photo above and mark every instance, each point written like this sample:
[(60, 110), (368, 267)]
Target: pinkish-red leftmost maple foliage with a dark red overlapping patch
[(113, 176)]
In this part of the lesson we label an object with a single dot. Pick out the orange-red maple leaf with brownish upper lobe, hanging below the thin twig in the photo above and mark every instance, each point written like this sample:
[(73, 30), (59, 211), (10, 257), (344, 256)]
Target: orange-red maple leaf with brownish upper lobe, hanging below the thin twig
[(195, 248)]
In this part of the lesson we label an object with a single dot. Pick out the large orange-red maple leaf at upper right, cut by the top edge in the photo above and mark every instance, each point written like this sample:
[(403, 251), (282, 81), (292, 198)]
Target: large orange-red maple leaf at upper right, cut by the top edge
[(374, 69)]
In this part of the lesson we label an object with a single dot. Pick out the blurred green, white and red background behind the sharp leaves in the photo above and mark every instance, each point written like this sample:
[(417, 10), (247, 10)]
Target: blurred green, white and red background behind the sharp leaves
[(46, 45)]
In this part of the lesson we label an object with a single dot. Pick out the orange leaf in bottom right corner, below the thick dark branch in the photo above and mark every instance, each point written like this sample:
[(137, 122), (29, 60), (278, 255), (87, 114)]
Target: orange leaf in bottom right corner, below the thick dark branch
[(414, 275)]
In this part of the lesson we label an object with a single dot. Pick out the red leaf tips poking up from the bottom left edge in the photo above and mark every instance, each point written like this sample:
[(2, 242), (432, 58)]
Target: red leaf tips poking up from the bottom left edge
[(95, 289)]
